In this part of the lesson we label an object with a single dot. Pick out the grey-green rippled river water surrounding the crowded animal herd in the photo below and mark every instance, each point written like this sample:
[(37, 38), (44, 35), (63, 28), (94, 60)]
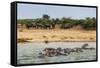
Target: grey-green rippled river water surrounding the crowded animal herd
[(28, 52)]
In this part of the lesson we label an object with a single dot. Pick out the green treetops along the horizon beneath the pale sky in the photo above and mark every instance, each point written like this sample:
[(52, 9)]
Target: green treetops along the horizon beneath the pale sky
[(88, 23)]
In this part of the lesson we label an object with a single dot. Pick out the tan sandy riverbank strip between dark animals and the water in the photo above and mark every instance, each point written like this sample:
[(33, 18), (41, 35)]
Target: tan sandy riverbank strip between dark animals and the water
[(38, 35)]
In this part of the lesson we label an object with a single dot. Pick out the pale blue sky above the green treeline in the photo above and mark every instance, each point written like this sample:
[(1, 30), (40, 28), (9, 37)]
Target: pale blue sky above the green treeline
[(33, 11)]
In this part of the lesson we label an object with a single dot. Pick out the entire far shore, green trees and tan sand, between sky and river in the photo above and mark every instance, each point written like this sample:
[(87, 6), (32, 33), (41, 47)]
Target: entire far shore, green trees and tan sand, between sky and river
[(56, 29)]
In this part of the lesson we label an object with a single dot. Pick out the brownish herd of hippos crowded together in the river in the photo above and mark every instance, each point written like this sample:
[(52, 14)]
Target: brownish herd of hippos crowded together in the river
[(51, 52)]
